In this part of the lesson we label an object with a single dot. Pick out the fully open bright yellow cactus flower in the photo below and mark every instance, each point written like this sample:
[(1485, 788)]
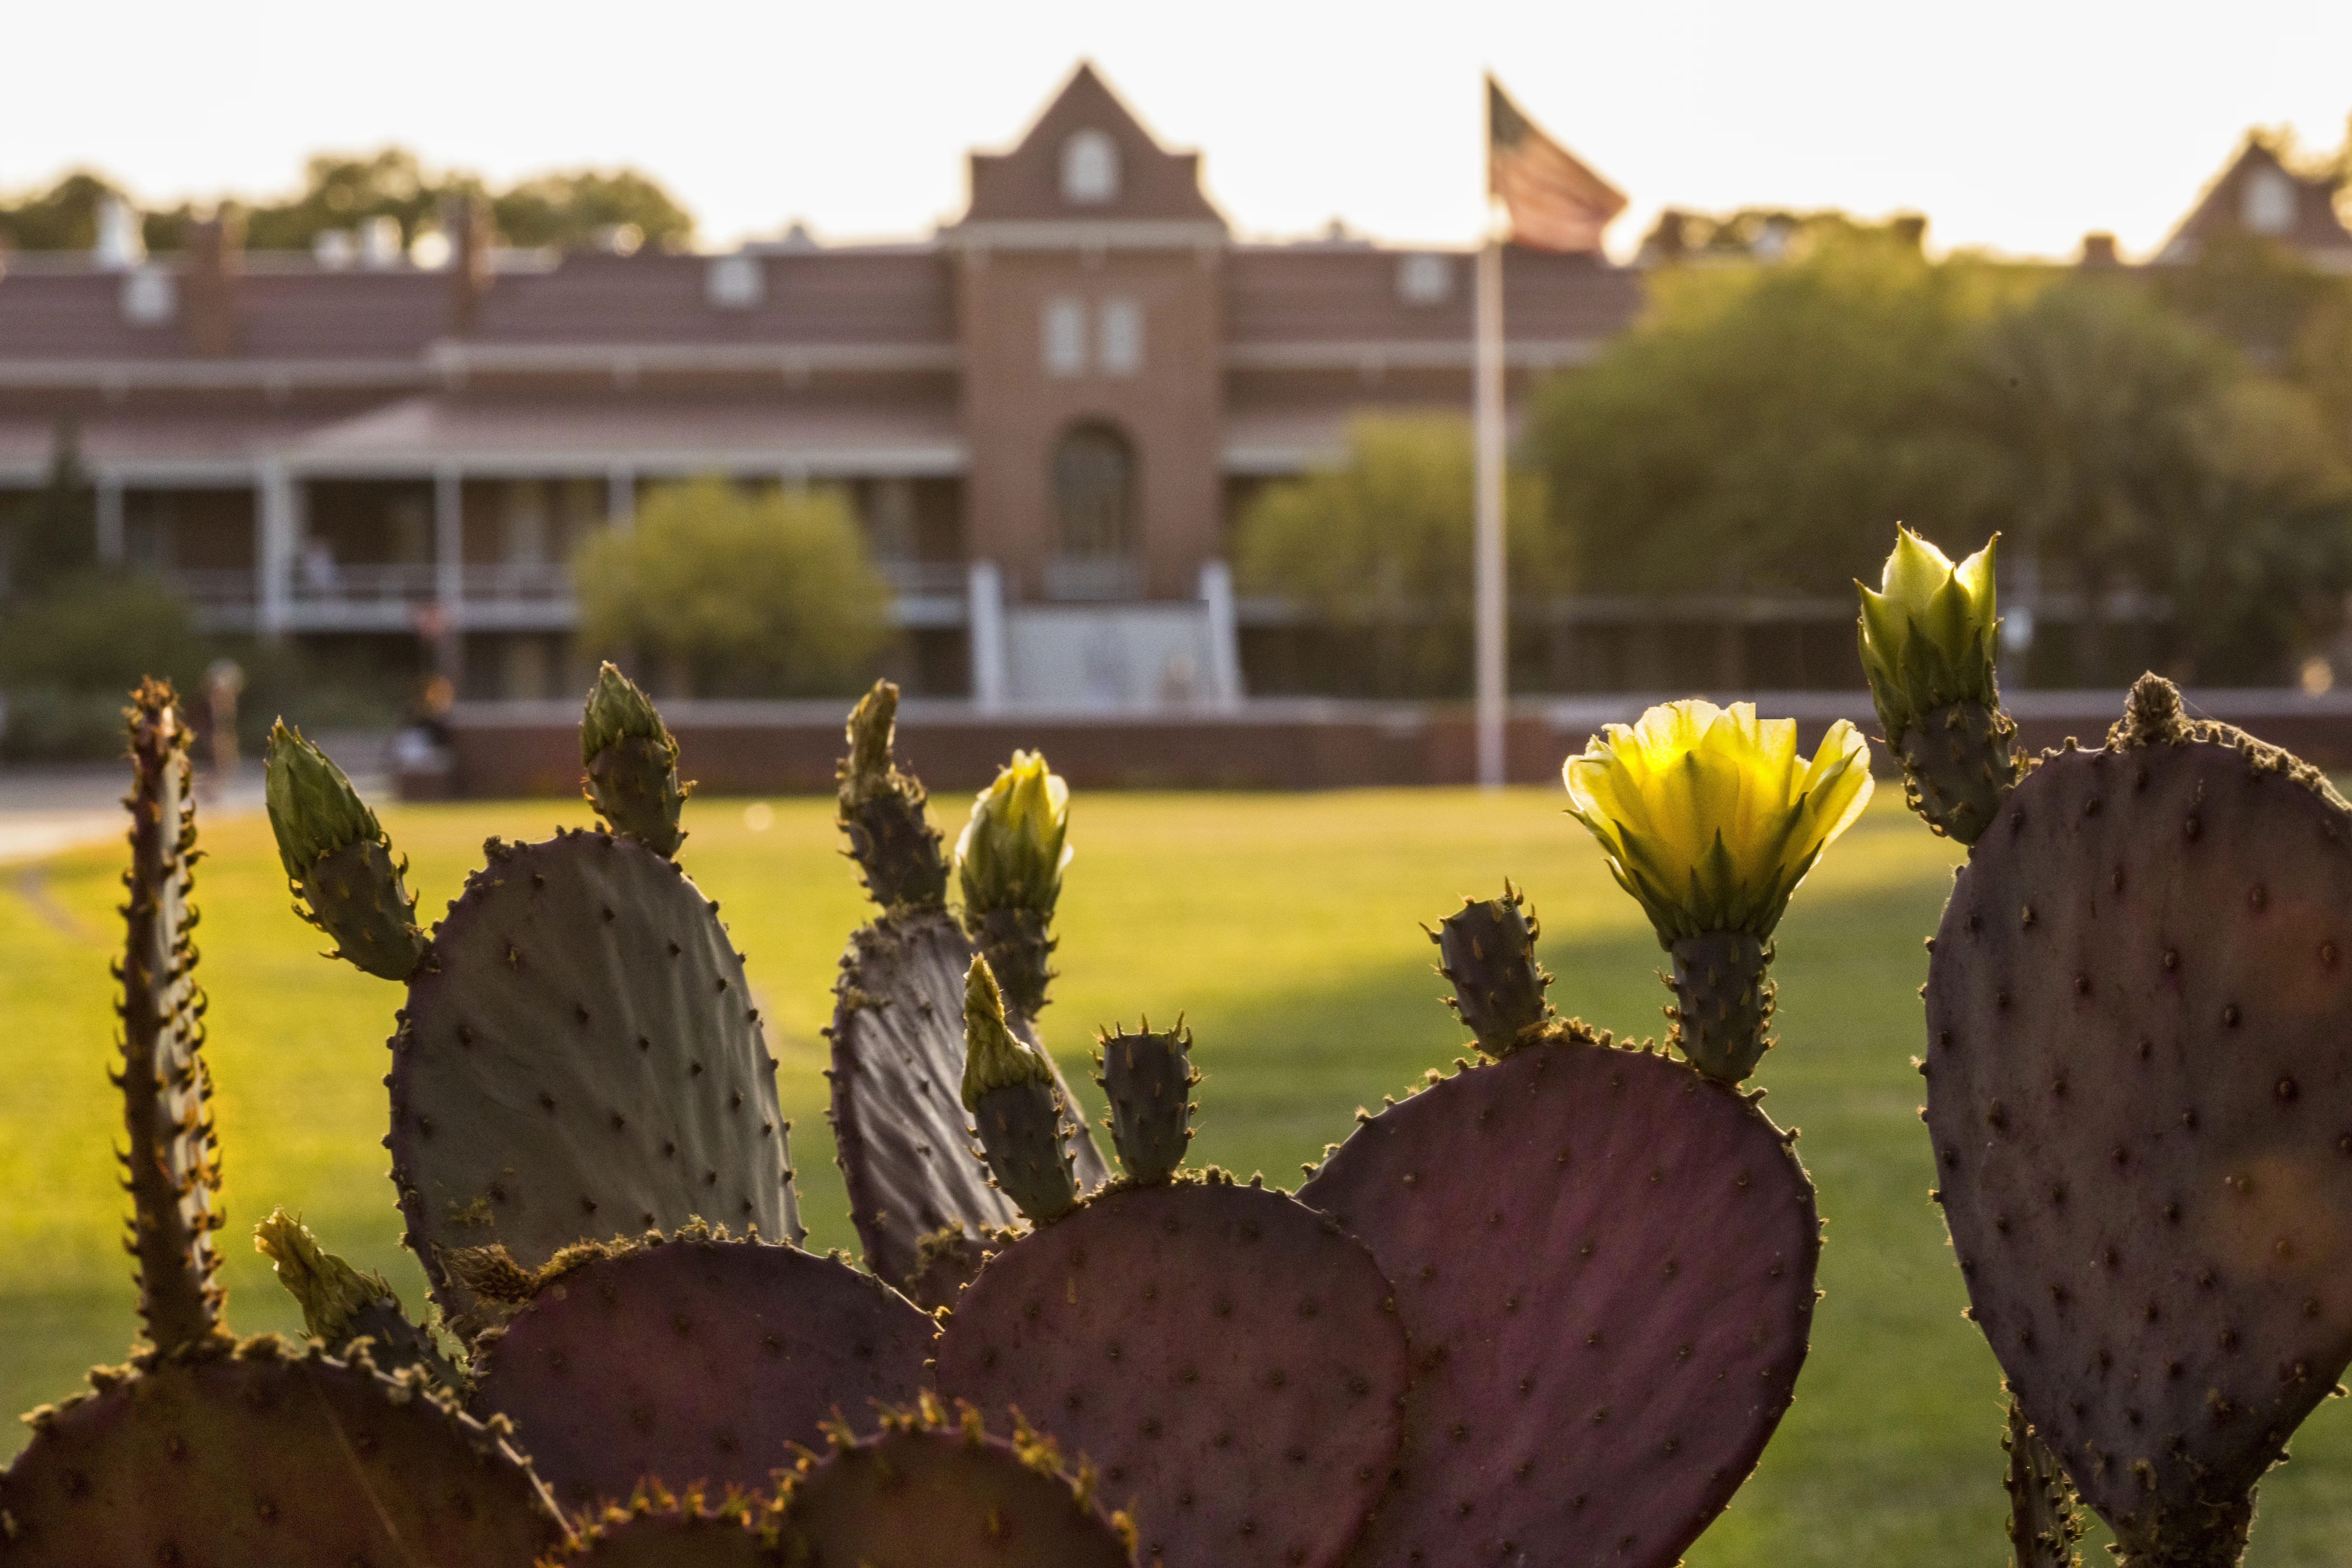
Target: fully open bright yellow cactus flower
[(1709, 817)]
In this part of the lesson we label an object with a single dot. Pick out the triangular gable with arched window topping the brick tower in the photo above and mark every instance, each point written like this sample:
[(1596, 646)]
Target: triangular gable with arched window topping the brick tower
[(1088, 161)]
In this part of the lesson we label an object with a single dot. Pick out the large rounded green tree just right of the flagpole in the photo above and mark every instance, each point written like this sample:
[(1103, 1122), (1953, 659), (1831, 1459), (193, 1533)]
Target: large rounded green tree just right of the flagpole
[(1765, 427)]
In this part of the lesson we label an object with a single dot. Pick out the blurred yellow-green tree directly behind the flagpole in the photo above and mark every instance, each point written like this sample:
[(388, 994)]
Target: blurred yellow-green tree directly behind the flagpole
[(1382, 547)]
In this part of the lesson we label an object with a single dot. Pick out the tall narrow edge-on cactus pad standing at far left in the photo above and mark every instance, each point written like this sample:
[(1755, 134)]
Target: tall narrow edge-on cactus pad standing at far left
[(173, 1167)]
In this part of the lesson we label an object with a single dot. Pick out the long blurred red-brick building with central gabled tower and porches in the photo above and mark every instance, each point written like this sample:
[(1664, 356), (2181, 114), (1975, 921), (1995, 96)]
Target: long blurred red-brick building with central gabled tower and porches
[(1045, 413)]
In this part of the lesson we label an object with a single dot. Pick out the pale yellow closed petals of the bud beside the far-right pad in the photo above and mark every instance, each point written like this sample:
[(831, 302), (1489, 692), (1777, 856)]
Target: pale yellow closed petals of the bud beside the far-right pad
[(1927, 634)]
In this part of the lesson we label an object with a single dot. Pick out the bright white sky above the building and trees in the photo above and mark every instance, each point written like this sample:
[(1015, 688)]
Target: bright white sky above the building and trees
[(2012, 123)]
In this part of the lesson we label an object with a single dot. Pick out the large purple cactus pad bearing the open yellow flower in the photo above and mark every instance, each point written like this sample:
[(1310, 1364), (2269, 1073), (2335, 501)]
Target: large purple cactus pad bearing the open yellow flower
[(1605, 1266)]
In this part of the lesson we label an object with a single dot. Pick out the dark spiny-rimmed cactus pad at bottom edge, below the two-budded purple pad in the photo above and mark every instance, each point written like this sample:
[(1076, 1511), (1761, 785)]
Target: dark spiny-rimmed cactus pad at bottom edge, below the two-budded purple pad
[(930, 1492)]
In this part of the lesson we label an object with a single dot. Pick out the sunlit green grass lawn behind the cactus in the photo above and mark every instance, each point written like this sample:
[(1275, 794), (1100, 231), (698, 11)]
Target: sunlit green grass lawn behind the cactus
[(1283, 925)]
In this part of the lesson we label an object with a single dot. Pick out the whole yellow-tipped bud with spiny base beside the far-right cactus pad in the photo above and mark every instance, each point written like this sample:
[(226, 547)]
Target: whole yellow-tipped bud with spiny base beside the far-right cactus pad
[(1927, 648)]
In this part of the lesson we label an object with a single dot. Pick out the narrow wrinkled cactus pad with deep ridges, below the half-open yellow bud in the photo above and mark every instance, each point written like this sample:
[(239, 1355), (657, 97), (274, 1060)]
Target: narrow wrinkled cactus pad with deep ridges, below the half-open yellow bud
[(902, 1134)]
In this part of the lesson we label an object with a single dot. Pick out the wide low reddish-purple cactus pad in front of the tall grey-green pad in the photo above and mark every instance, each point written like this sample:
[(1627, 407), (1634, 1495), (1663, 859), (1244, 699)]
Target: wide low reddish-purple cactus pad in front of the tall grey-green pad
[(693, 1360)]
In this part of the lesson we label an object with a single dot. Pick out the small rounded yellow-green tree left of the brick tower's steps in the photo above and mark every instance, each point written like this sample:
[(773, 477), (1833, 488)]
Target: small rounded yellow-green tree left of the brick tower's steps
[(737, 596)]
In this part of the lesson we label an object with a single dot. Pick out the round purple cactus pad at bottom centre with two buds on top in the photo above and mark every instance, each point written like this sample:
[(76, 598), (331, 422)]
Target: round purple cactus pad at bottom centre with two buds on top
[(1222, 1353)]
